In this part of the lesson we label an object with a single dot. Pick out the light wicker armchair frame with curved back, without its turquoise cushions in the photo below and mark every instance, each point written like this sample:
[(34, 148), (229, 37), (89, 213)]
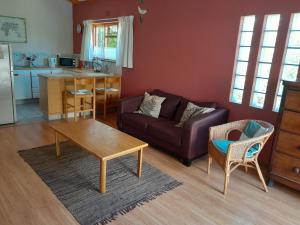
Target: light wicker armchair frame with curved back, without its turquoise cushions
[(237, 151)]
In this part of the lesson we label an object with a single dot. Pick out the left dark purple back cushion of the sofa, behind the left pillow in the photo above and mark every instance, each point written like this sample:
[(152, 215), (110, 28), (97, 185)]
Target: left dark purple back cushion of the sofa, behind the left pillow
[(169, 106)]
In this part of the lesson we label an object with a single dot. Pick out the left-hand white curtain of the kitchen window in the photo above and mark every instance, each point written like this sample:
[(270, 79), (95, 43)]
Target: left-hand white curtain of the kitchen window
[(87, 43)]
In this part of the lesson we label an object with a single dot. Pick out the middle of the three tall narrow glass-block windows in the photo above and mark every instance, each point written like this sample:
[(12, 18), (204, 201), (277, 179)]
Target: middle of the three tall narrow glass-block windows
[(265, 59)]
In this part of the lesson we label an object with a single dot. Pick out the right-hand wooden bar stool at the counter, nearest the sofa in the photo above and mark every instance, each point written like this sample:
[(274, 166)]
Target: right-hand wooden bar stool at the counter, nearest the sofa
[(108, 92)]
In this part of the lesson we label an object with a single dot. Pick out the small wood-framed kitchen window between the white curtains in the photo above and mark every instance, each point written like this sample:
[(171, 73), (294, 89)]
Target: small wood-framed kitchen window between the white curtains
[(105, 40)]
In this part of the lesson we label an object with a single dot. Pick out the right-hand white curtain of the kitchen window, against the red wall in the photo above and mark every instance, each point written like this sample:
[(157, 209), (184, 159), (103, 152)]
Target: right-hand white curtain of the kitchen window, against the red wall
[(125, 43)]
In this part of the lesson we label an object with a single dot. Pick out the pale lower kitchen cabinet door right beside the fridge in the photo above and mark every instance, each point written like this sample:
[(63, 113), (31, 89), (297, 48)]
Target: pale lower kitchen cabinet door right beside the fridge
[(22, 84)]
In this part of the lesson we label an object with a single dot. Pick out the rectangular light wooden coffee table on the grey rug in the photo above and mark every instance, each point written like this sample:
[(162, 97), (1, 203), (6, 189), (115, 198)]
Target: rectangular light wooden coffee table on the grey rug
[(103, 141)]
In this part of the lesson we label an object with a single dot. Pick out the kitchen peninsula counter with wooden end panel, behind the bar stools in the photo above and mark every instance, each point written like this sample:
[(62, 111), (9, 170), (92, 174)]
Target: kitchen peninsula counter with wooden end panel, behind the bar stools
[(52, 87)]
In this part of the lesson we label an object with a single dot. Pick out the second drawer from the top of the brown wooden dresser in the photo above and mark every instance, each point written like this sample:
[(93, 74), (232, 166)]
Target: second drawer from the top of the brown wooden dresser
[(291, 121)]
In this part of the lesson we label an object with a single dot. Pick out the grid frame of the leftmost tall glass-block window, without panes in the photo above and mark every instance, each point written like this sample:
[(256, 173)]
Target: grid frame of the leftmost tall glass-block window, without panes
[(237, 60)]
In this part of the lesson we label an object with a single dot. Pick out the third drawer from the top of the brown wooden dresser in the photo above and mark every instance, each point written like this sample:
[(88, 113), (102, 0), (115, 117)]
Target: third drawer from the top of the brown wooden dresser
[(289, 144)]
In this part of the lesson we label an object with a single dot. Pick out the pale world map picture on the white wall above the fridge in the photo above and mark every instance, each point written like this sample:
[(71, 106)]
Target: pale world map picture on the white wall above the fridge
[(12, 30)]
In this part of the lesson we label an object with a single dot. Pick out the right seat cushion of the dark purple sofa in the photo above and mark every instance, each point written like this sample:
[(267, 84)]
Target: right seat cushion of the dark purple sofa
[(166, 131)]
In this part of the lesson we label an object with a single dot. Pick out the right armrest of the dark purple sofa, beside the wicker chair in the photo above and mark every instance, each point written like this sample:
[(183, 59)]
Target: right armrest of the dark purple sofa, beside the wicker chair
[(196, 132)]
